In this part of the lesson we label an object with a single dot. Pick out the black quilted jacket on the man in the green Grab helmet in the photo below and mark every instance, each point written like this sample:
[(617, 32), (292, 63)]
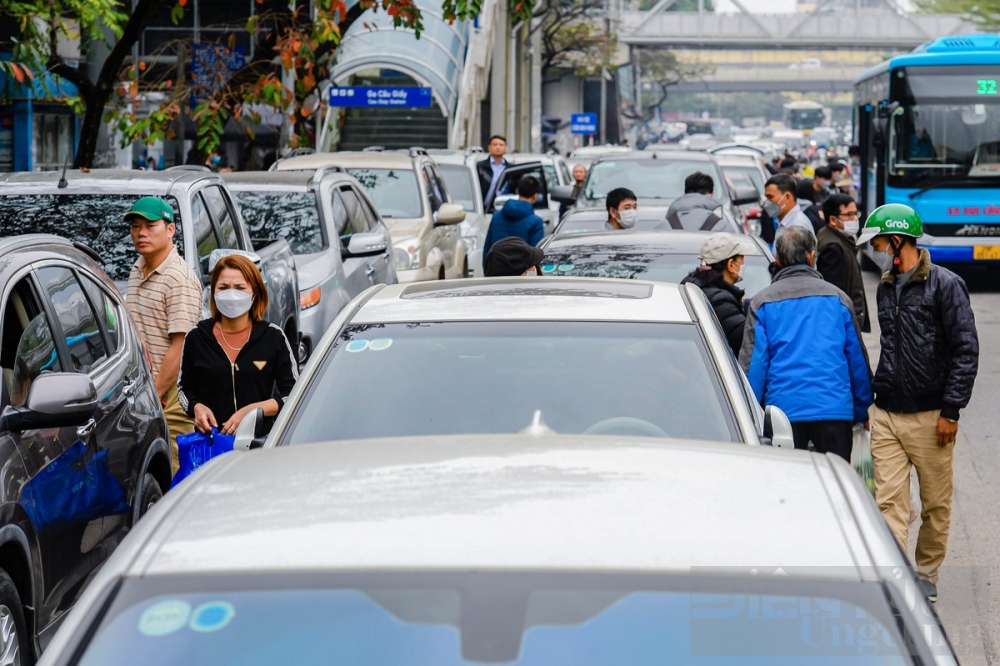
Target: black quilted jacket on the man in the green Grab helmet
[(930, 349)]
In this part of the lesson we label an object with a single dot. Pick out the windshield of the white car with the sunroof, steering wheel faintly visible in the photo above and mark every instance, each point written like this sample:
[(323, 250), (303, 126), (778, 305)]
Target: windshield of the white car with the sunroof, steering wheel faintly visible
[(581, 377)]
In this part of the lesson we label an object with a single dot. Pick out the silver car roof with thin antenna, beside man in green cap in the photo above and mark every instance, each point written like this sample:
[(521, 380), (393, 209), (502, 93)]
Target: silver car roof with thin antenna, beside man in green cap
[(154, 183)]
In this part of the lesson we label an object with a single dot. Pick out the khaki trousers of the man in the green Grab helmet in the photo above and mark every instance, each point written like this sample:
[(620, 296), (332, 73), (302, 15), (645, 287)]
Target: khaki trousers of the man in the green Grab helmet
[(900, 441)]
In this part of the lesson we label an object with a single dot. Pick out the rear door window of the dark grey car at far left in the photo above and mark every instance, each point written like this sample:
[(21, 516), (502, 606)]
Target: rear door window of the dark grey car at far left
[(76, 318)]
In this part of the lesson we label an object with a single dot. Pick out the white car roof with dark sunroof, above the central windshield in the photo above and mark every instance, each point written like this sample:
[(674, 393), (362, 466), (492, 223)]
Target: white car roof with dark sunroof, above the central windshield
[(526, 299)]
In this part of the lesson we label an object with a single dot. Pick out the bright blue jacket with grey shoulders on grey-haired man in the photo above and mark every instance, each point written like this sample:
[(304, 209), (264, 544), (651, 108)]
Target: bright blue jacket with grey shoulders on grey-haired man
[(802, 349)]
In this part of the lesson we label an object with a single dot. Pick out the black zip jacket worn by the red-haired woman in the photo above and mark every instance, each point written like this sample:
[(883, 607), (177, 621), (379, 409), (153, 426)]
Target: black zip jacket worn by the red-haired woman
[(265, 368)]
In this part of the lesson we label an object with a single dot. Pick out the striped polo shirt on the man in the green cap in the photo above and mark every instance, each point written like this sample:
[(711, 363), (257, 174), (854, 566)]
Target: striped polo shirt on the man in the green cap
[(167, 301)]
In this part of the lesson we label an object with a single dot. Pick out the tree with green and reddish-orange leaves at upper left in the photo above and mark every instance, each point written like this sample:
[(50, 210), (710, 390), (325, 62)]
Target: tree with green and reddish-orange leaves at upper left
[(294, 53)]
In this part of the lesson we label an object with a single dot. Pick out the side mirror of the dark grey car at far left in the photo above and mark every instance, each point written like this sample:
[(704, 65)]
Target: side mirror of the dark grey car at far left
[(55, 400)]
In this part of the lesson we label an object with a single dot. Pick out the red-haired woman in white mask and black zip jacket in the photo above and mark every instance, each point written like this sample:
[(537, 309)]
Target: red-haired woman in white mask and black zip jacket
[(235, 362)]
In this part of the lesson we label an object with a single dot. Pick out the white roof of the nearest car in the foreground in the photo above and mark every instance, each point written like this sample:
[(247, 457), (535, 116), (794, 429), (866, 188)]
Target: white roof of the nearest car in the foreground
[(490, 503)]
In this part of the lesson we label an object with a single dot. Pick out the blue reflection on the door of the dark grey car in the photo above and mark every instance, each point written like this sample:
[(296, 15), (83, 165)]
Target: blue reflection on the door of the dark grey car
[(72, 488)]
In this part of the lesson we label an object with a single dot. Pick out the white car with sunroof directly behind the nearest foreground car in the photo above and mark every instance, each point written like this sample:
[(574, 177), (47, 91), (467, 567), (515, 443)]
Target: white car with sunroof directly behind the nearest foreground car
[(581, 355)]
